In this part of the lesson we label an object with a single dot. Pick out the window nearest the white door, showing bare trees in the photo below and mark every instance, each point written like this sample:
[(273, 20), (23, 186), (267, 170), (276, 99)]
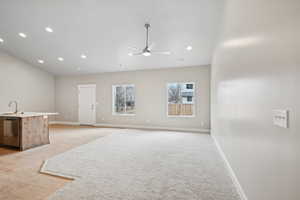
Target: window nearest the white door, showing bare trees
[(124, 99)]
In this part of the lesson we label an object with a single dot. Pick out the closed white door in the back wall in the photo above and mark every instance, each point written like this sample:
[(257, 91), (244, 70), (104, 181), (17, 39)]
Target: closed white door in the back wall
[(87, 104)]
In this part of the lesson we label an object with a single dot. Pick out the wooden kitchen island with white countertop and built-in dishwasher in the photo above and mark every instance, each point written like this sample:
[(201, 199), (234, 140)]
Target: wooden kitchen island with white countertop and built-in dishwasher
[(24, 130)]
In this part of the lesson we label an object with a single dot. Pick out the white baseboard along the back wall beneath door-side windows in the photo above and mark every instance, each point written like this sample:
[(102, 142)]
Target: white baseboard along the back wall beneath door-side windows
[(135, 127)]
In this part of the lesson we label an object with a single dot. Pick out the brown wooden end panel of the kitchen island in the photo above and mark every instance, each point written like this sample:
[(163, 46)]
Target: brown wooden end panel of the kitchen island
[(35, 132)]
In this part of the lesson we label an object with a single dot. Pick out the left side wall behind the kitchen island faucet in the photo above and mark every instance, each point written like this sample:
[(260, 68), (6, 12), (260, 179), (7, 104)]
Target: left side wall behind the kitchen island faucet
[(32, 87)]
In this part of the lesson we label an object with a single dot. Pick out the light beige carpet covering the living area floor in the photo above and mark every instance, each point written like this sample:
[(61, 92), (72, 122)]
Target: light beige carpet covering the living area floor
[(141, 165)]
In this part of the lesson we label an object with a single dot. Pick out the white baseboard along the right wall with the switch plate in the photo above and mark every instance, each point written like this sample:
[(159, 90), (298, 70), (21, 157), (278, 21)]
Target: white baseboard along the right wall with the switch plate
[(231, 172)]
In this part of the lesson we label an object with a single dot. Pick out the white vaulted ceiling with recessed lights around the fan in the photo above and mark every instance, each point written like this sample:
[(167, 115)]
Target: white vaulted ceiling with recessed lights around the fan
[(107, 30)]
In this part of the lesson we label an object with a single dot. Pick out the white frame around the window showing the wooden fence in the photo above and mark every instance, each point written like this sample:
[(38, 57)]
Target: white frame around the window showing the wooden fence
[(194, 101)]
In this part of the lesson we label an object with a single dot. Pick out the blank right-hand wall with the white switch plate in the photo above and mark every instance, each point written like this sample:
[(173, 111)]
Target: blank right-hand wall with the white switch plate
[(256, 68)]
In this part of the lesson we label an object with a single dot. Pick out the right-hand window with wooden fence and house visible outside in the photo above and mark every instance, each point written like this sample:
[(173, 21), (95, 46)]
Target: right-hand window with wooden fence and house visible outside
[(181, 97)]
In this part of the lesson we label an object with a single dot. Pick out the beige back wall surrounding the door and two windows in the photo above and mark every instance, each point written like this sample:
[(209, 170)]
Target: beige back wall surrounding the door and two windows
[(151, 96)]
